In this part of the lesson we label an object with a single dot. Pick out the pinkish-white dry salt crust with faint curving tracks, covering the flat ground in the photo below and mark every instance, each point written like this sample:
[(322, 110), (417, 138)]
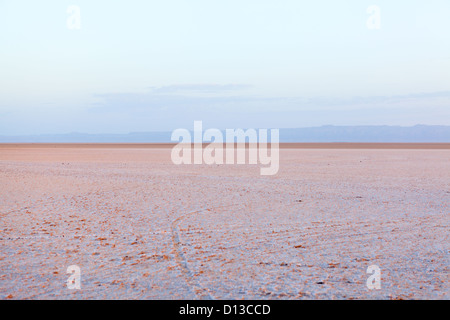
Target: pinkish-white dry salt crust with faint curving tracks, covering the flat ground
[(140, 227)]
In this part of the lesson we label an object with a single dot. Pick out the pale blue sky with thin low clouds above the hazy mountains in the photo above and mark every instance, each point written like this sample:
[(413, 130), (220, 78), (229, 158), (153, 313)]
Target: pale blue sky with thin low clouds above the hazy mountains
[(110, 66)]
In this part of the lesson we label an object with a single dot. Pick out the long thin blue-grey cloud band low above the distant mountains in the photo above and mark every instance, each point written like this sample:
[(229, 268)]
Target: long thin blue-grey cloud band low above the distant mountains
[(179, 98)]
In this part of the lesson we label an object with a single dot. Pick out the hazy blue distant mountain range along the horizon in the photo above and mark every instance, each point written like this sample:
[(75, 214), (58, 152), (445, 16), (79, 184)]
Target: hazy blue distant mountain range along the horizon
[(418, 133)]
